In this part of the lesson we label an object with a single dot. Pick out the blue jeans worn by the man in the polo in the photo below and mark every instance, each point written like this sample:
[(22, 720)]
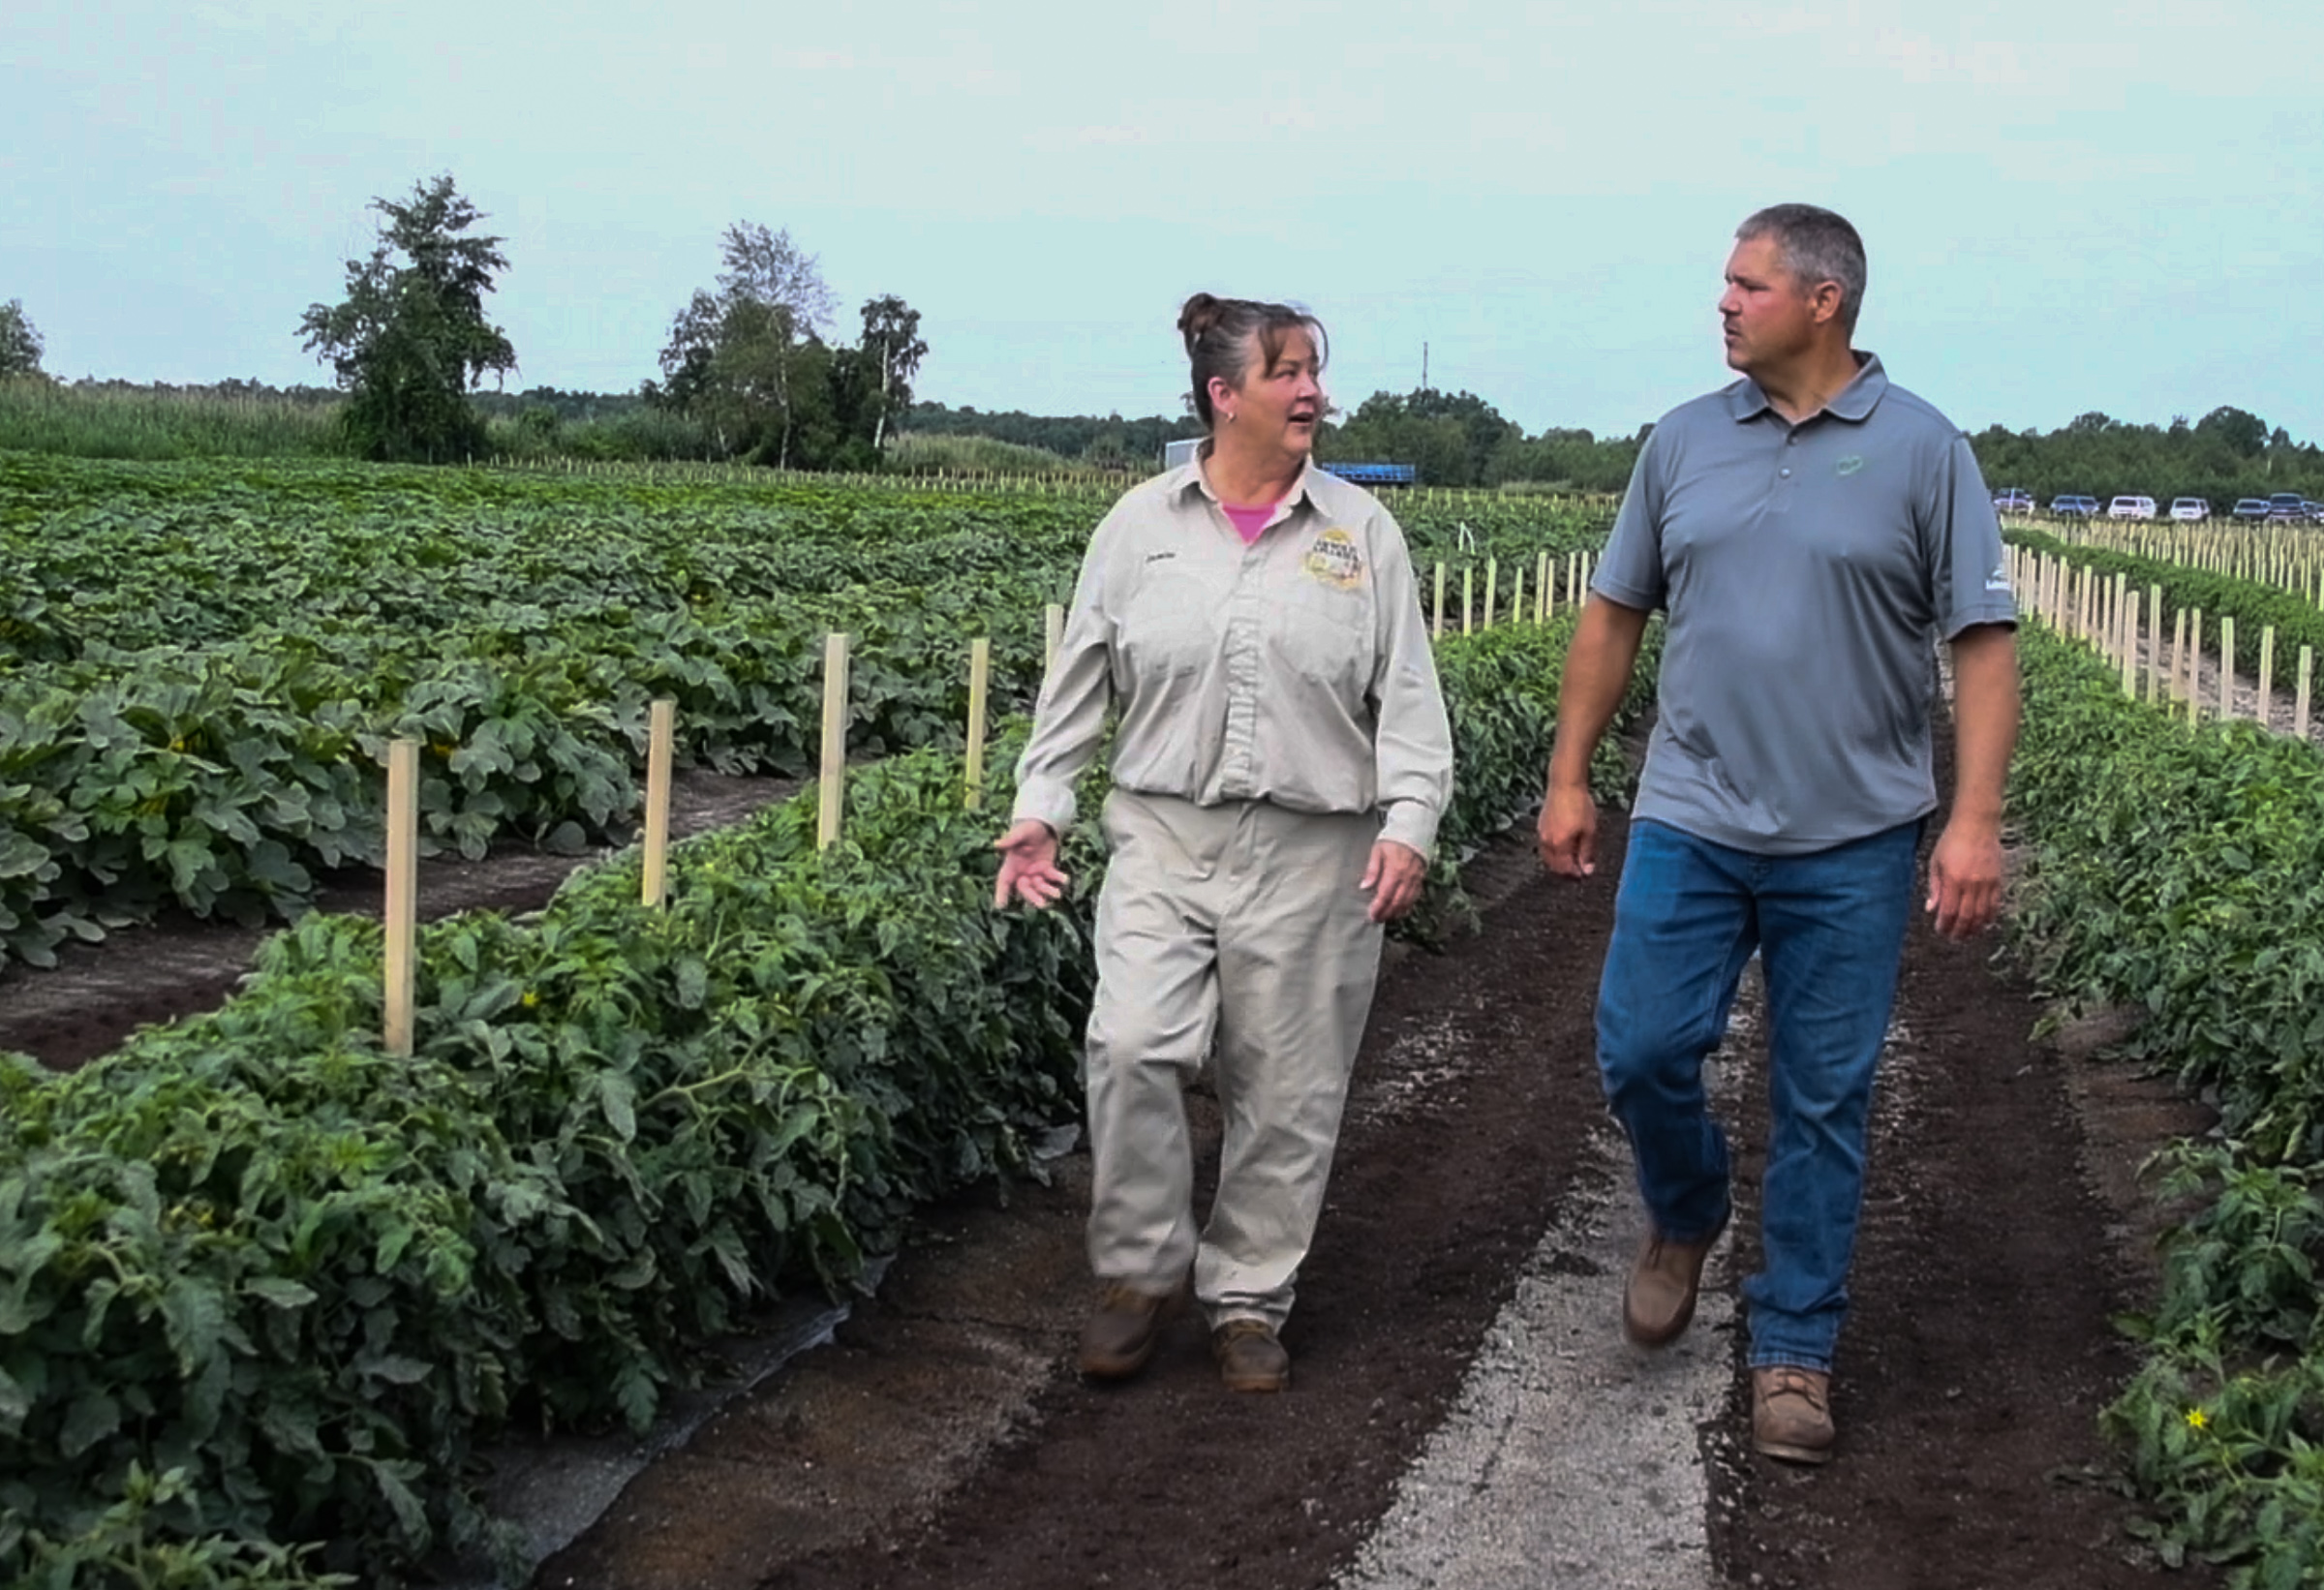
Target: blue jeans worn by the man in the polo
[(1830, 933)]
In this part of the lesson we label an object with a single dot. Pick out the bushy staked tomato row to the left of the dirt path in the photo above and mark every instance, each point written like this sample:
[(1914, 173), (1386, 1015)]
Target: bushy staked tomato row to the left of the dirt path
[(264, 1287)]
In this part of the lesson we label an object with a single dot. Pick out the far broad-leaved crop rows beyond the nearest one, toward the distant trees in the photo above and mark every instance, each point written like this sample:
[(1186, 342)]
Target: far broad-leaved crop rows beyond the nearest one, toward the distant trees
[(189, 554)]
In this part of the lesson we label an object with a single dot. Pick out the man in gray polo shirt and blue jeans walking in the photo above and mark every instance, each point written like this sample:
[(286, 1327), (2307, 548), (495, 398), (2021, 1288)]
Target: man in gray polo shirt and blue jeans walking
[(1812, 533)]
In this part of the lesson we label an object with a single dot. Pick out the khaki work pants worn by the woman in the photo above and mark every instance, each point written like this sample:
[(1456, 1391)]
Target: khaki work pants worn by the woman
[(1240, 922)]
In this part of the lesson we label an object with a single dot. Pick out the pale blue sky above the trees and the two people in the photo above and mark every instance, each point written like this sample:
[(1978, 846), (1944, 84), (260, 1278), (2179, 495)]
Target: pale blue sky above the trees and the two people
[(2067, 206)]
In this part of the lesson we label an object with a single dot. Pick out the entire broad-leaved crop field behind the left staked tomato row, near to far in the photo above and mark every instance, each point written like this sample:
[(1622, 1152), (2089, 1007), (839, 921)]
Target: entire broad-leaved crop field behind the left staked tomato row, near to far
[(199, 666)]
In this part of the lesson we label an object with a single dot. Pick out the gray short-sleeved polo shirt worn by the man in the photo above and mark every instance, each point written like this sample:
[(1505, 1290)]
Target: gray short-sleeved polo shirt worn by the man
[(1809, 573)]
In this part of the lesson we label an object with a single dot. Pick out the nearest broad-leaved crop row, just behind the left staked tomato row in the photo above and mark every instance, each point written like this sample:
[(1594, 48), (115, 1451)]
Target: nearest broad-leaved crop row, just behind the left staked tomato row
[(224, 780)]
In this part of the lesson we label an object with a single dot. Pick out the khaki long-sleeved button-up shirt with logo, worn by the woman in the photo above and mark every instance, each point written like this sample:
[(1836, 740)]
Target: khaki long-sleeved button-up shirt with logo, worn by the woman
[(1293, 671)]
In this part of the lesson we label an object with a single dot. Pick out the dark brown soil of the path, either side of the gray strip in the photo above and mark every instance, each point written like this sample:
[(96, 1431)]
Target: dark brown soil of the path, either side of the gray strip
[(945, 1442)]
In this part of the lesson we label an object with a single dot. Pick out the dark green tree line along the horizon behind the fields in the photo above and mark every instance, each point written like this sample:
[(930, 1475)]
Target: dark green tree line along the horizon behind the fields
[(756, 371)]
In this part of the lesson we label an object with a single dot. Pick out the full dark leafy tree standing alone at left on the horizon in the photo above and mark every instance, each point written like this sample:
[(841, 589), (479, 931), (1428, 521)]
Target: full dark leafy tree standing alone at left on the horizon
[(413, 336)]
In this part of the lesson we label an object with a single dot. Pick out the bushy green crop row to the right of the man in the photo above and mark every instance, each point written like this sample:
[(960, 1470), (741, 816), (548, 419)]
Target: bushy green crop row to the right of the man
[(2181, 871)]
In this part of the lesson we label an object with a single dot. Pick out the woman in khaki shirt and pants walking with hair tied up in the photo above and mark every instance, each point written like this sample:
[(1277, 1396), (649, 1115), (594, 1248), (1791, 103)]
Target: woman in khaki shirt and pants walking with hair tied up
[(1279, 768)]
